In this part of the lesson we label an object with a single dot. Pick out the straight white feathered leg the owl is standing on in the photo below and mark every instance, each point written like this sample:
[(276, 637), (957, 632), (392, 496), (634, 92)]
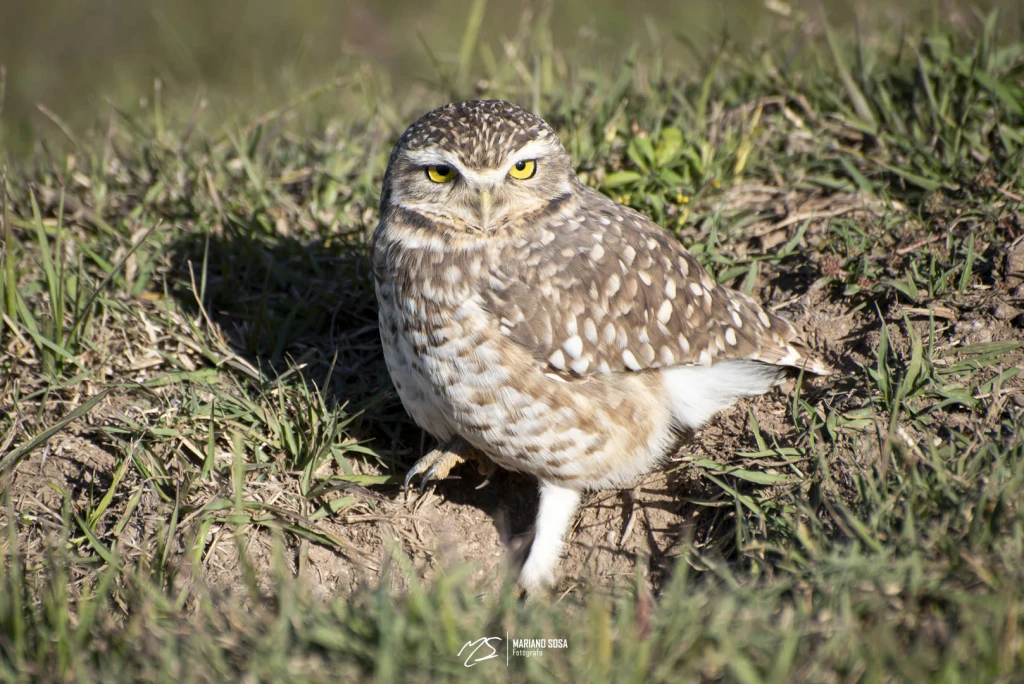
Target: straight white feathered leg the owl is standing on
[(559, 505)]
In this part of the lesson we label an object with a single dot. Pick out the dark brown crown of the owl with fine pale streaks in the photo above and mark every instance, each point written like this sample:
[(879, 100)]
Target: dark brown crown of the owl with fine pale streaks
[(482, 133)]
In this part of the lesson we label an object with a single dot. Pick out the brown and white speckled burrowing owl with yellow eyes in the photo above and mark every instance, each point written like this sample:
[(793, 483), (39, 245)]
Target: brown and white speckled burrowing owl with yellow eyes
[(530, 320)]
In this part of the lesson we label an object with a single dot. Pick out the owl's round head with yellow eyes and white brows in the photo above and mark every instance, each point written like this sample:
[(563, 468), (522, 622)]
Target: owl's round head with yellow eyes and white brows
[(478, 166)]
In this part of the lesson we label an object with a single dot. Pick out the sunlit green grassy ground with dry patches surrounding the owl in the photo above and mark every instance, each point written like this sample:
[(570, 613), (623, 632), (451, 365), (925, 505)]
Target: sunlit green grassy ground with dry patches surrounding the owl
[(190, 362)]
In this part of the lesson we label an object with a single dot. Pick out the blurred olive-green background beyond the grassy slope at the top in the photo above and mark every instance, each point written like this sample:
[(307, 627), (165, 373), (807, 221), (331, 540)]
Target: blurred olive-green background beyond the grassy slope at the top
[(75, 58)]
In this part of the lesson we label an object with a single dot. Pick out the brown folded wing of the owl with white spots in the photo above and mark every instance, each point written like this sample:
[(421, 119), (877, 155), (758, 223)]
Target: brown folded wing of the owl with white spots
[(607, 290)]
